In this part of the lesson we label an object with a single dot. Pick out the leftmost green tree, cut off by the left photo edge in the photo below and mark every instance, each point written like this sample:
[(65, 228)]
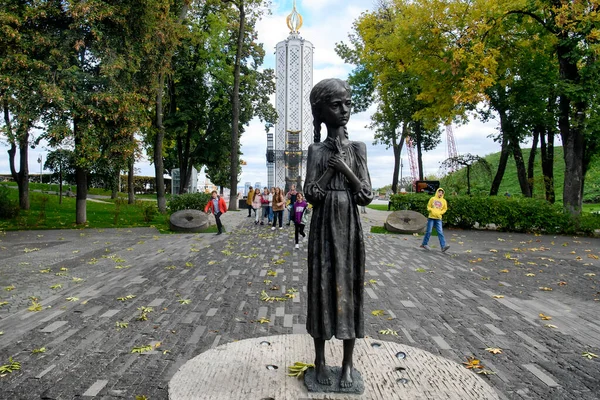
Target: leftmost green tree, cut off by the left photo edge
[(25, 90)]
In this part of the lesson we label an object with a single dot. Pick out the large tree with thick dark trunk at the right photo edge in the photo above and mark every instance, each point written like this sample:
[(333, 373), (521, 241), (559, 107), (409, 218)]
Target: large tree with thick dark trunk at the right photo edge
[(575, 31)]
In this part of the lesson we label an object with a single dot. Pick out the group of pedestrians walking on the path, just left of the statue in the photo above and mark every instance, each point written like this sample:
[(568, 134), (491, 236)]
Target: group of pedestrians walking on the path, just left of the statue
[(270, 205)]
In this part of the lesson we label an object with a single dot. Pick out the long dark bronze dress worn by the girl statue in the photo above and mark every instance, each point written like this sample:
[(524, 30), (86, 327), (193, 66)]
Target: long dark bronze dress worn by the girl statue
[(336, 249)]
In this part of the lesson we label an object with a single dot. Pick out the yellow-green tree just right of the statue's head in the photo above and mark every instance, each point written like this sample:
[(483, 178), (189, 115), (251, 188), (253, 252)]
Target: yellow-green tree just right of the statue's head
[(396, 92)]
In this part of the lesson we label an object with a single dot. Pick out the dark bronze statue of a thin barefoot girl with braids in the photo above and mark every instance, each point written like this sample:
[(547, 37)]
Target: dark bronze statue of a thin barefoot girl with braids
[(337, 182)]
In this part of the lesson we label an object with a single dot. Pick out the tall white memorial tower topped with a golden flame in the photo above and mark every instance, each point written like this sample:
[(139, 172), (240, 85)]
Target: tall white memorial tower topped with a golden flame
[(287, 148)]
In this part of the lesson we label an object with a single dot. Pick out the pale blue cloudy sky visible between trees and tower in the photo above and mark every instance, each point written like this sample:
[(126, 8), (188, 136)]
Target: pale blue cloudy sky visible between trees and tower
[(326, 22)]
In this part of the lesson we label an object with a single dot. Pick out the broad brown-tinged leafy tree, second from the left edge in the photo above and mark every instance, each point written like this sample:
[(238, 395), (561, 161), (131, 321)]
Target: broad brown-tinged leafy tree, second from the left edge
[(95, 63)]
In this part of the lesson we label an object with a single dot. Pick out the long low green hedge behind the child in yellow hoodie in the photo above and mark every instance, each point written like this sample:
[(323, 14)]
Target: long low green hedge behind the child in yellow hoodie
[(507, 214)]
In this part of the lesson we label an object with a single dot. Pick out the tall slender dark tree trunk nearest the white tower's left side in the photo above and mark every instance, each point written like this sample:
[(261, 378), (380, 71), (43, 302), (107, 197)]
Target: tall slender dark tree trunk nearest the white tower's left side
[(235, 101)]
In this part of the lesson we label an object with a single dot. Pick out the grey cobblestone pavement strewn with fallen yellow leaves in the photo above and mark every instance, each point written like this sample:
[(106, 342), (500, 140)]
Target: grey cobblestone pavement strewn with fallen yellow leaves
[(104, 294)]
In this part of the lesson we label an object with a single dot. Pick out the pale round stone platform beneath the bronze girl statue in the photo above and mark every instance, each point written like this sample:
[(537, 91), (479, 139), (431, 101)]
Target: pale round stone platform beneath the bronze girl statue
[(256, 369)]
